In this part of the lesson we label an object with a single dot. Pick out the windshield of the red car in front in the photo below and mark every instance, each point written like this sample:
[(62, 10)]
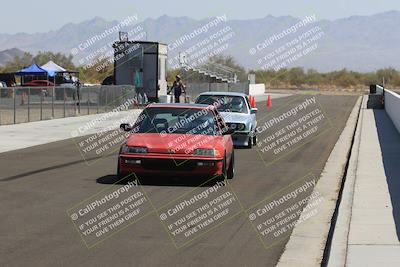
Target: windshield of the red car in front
[(177, 121)]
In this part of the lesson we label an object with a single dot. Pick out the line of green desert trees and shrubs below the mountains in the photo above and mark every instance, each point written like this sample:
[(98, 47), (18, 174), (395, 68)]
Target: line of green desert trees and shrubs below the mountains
[(293, 77)]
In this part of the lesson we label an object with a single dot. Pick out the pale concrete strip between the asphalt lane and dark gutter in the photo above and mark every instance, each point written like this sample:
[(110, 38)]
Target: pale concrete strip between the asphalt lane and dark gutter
[(308, 239)]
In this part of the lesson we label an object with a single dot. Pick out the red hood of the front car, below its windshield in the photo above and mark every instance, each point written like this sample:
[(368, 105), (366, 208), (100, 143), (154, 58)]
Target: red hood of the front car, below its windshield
[(175, 143)]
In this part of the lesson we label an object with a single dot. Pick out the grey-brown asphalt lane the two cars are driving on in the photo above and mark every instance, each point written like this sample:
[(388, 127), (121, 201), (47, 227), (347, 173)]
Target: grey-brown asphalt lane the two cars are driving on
[(168, 221)]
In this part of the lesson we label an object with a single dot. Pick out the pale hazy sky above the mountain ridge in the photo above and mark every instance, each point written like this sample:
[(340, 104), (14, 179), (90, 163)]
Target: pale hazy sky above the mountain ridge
[(41, 16)]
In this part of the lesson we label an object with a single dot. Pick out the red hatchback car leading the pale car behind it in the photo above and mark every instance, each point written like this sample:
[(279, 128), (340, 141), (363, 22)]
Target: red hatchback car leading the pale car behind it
[(179, 140)]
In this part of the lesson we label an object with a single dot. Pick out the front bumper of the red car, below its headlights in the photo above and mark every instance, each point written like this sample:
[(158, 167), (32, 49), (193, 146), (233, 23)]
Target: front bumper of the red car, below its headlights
[(176, 165)]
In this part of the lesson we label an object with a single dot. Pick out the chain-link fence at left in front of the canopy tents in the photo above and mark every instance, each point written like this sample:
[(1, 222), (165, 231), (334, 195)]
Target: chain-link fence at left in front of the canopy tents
[(27, 104)]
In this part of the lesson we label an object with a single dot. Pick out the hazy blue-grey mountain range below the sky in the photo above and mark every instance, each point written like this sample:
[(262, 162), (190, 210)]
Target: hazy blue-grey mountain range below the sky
[(360, 43)]
